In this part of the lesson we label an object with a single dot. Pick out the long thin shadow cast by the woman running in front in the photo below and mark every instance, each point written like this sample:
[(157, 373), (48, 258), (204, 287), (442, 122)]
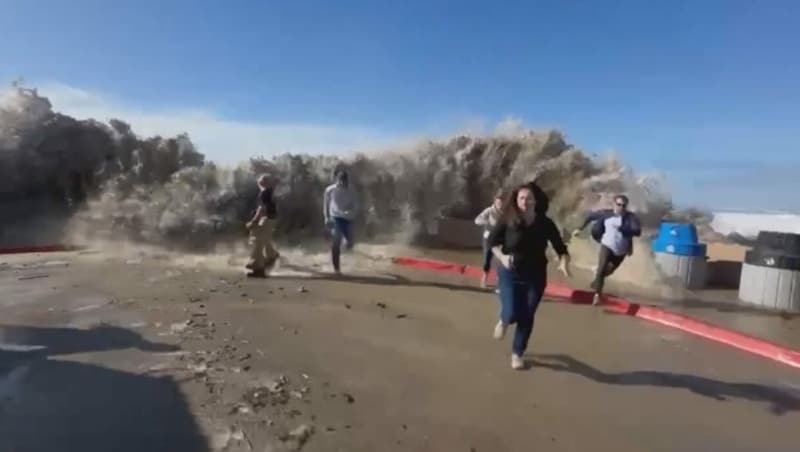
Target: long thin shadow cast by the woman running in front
[(780, 401)]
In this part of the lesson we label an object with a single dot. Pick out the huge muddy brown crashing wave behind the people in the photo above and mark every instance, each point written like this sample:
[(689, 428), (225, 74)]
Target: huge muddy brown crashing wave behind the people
[(95, 179)]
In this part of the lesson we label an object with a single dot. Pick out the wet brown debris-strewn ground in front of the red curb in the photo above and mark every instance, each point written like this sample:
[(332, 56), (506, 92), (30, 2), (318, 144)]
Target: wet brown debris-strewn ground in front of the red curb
[(163, 354)]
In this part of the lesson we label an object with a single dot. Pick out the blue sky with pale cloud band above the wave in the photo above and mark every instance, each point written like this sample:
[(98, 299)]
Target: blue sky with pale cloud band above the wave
[(706, 91)]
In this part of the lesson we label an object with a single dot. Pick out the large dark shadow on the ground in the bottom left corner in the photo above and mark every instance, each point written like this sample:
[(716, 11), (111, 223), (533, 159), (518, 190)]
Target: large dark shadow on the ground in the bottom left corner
[(48, 403)]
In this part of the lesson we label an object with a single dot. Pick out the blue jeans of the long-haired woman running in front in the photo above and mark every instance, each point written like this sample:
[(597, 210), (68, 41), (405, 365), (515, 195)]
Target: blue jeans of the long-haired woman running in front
[(519, 299)]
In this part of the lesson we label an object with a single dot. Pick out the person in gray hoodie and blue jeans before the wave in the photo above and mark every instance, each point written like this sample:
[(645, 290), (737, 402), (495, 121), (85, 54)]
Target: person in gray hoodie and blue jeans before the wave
[(339, 210)]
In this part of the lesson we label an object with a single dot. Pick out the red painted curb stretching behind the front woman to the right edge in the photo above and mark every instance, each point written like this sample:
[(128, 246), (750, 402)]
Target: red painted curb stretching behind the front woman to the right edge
[(735, 339)]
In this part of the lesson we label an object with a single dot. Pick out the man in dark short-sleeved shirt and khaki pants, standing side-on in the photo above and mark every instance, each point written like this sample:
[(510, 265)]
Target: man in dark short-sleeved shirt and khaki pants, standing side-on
[(262, 228)]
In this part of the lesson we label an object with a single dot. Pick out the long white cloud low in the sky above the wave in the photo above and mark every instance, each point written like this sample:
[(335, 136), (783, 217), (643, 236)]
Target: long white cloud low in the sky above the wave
[(222, 140)]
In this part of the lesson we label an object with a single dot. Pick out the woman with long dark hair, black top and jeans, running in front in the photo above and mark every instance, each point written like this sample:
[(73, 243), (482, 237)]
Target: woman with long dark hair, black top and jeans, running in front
[(519, 242)]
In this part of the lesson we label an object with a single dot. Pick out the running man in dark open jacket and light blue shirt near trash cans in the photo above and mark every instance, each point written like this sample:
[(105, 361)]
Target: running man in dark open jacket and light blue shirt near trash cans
[(614, 229)]
